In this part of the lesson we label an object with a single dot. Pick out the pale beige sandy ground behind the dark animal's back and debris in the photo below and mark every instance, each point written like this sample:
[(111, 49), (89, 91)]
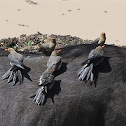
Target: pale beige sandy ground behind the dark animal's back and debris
[(83, 18)]
